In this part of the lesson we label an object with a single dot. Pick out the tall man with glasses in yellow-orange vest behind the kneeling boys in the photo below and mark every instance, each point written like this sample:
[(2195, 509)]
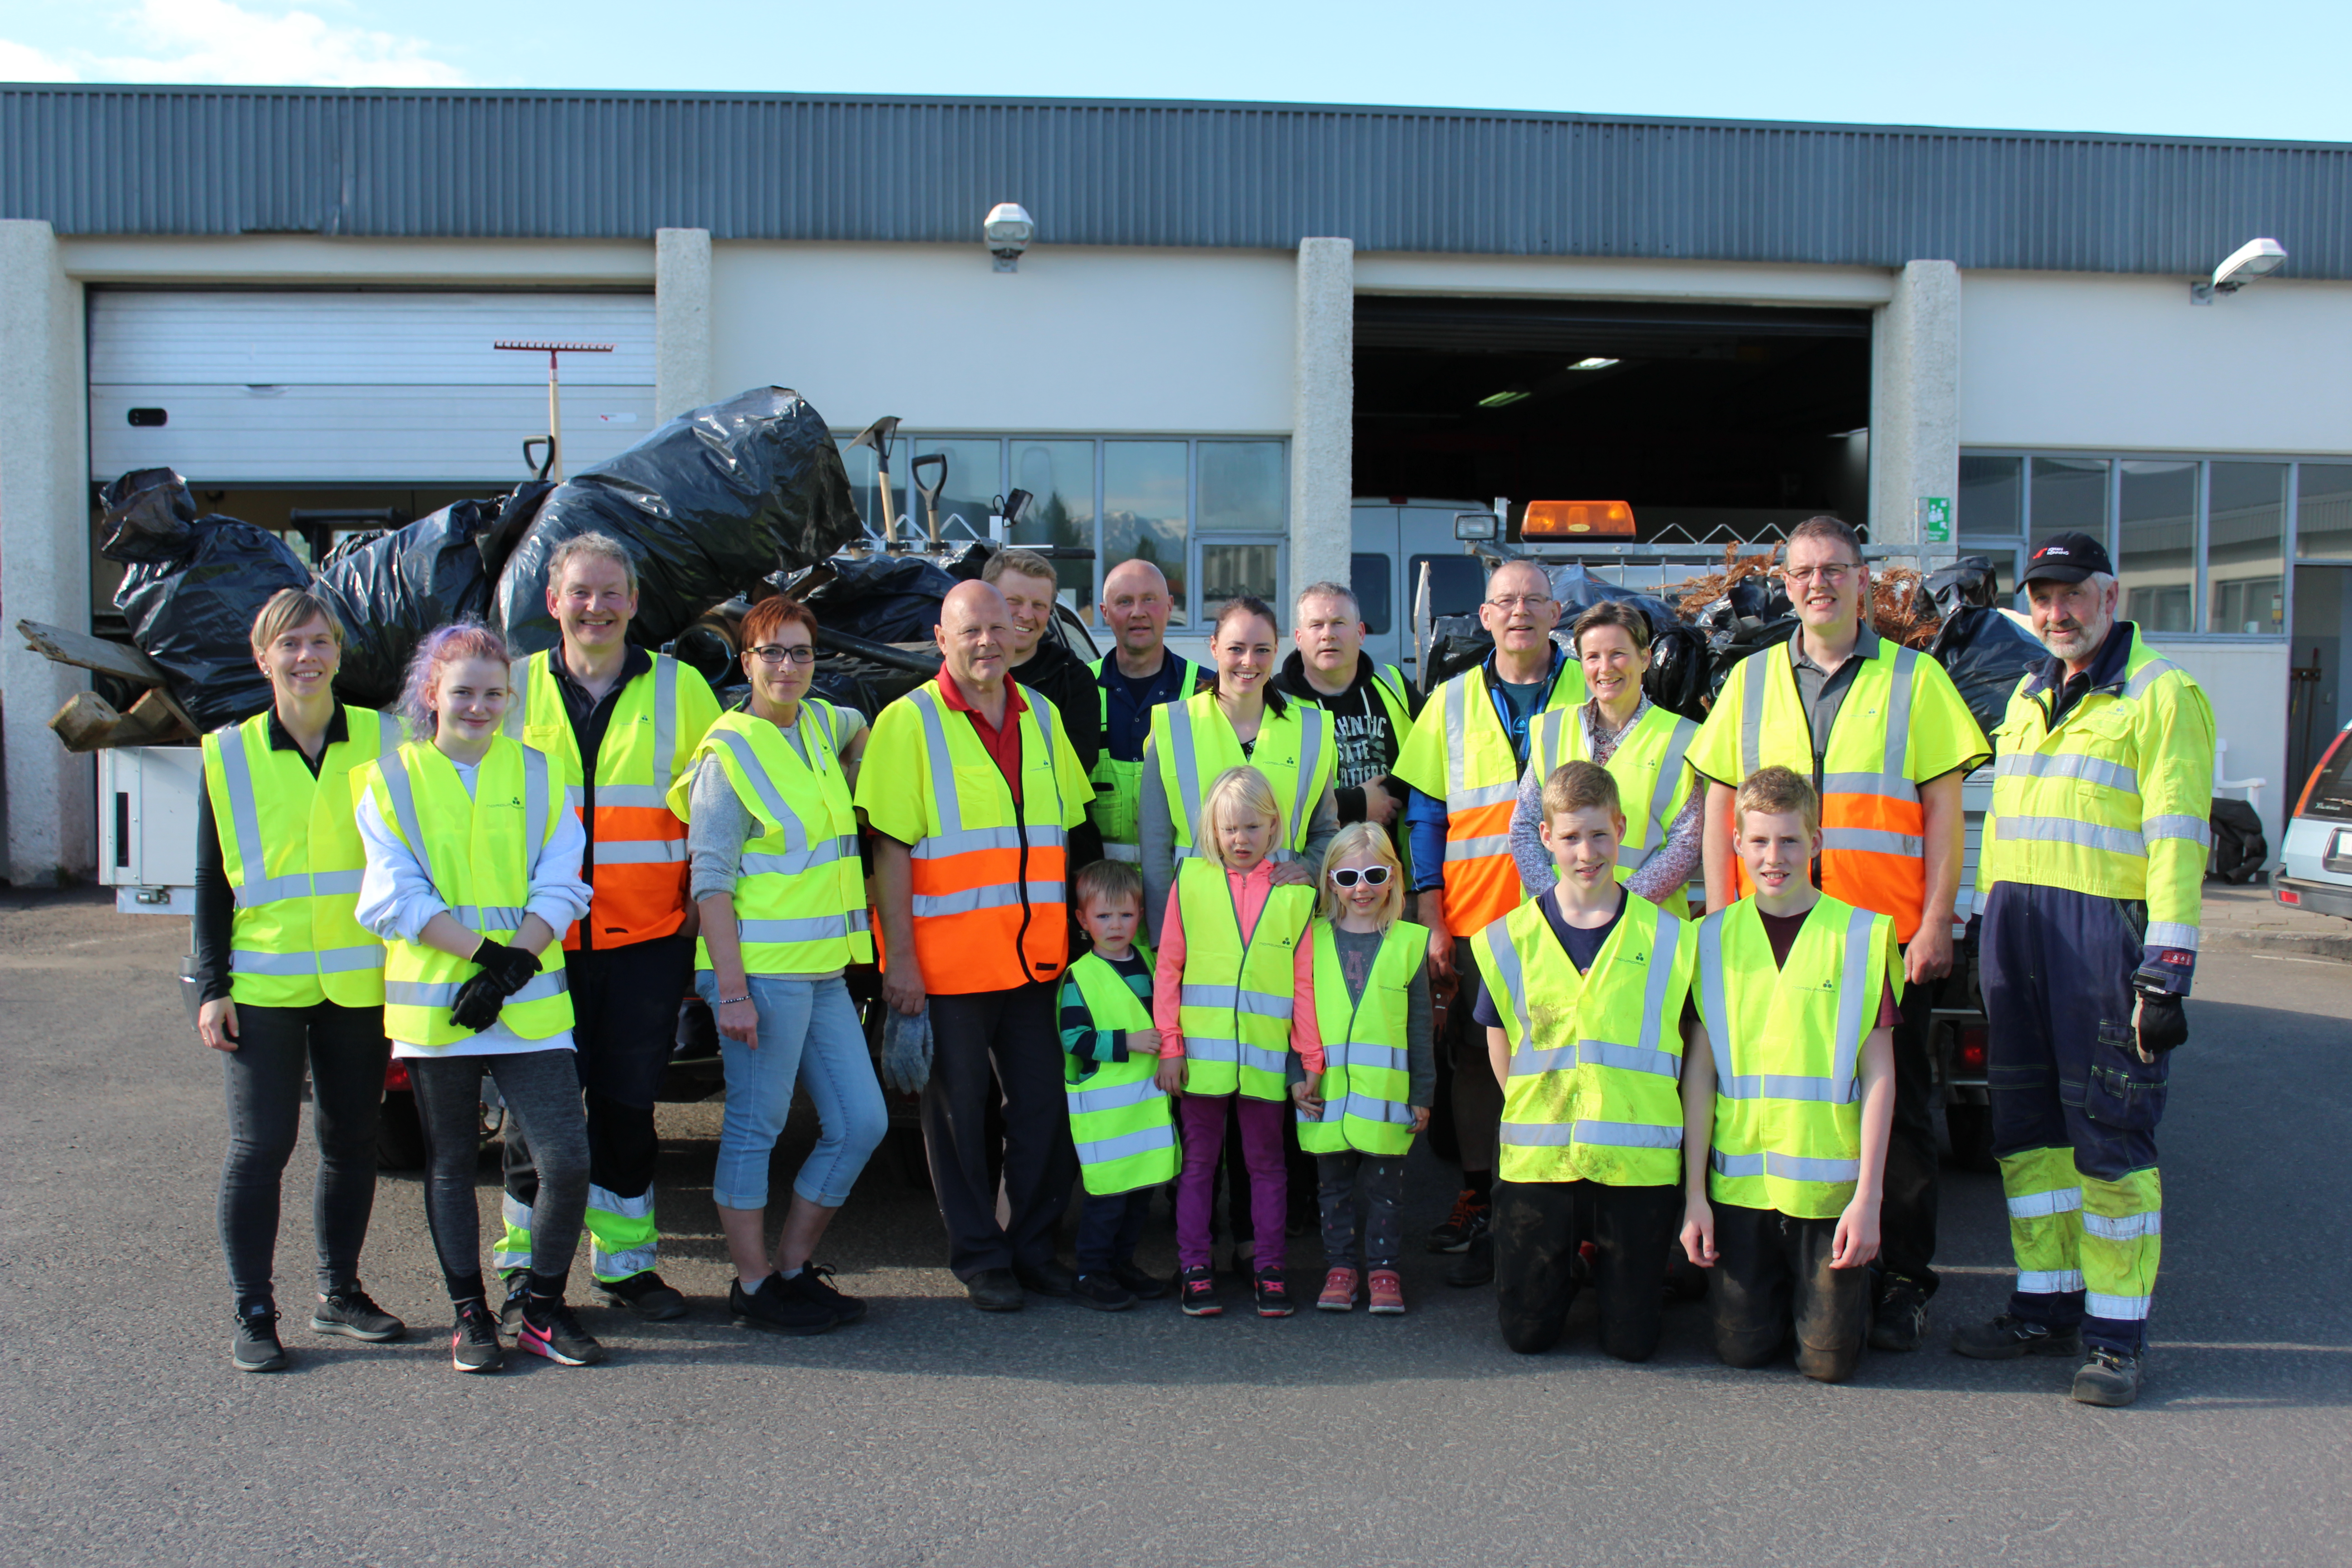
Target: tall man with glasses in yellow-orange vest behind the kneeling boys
[(1883, 735)]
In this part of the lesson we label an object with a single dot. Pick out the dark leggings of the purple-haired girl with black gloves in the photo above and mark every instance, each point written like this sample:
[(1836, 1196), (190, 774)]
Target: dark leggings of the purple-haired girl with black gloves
[(542, 1094)]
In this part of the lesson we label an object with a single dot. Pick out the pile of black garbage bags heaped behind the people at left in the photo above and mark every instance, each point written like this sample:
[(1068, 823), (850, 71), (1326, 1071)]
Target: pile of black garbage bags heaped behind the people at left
[(709, 504)]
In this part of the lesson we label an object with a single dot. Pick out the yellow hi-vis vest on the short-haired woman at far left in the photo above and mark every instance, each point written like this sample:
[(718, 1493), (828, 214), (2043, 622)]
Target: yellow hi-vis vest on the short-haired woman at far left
[(293, 857)]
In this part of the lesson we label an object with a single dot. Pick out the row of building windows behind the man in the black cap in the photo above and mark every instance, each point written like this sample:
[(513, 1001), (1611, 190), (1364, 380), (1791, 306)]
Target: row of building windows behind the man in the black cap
[(2200, 544)]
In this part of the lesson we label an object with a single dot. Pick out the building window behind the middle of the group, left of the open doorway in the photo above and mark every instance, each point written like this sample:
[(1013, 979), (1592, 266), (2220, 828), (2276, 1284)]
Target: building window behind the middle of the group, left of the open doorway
[(1210, 514)]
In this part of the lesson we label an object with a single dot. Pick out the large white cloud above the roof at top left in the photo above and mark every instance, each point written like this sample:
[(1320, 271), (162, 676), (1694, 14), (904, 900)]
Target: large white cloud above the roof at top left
[(218, 41)]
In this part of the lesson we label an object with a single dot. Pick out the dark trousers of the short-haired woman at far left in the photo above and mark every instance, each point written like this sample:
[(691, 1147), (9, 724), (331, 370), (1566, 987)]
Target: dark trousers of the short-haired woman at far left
[(345, 1052)]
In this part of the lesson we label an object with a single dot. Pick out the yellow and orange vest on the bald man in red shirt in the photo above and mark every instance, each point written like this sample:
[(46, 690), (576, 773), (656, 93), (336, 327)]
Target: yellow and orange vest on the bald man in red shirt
[(987, 899)]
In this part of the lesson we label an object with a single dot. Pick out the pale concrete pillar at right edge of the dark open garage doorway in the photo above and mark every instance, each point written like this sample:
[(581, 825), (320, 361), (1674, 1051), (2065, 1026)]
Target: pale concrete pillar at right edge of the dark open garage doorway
[(1916, 403)]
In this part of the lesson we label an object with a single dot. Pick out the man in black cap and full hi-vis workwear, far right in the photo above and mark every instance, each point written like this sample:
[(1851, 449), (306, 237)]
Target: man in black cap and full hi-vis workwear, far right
[(2094, 878)]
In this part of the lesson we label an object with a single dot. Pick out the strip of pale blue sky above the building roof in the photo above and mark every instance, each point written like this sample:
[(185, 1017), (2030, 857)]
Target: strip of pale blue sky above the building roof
[(2153, 67)]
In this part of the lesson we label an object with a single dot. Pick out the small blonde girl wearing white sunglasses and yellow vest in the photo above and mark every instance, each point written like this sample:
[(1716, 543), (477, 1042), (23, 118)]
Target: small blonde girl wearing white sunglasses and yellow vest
[(1379, 1073)]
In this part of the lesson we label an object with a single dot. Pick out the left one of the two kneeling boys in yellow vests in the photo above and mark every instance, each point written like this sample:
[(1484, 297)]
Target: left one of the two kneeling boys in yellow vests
[(1596, 986)]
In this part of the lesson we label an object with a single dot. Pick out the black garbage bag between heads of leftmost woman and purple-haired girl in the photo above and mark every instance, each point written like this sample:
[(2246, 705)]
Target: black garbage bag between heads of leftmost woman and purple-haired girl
[(394, 589)]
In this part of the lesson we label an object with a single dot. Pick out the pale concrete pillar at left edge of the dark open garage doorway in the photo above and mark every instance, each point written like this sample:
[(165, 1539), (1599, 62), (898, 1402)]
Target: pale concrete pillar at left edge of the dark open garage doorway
[(1323, 415)]
